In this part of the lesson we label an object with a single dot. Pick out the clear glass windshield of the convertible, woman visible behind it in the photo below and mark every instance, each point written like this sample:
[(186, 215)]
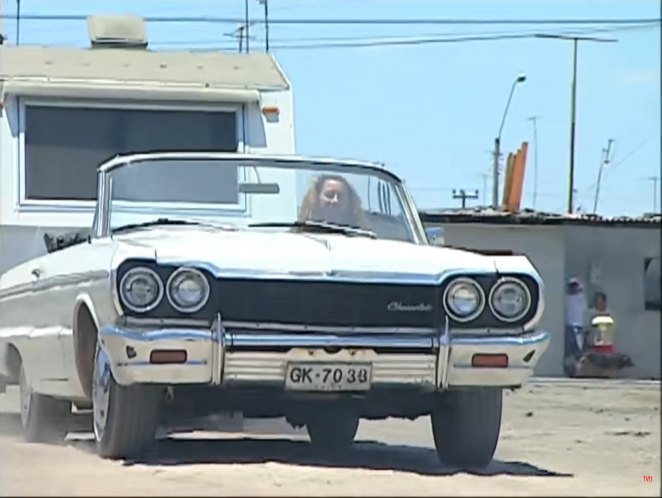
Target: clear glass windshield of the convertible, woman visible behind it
[(259, 191)]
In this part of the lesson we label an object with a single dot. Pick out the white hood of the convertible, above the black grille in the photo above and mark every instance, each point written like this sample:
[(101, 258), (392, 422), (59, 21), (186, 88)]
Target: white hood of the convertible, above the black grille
[(284, 254)]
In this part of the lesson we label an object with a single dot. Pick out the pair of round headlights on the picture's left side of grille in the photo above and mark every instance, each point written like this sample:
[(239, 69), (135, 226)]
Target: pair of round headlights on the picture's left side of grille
[(141, 290)]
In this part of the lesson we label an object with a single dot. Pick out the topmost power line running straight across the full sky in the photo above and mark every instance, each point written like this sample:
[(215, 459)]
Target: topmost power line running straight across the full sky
[(354, 22)]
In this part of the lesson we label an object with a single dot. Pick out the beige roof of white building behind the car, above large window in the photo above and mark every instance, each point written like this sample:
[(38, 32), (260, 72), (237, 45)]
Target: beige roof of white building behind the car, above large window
[(256, 71)]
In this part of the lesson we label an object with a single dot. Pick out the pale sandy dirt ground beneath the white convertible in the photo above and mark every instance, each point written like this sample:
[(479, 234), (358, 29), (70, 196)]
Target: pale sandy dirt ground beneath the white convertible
[(558, 438)]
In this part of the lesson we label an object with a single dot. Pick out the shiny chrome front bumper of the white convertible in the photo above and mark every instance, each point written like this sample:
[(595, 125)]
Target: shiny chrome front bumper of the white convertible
[(247, 358)]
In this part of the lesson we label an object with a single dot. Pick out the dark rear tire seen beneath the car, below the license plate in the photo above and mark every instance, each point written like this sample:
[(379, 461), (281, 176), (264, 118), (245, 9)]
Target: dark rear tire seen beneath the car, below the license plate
[(331, 432)]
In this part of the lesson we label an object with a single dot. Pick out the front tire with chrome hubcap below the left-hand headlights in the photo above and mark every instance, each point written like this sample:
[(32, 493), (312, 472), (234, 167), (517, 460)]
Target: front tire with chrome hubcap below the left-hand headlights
[(125, 418)]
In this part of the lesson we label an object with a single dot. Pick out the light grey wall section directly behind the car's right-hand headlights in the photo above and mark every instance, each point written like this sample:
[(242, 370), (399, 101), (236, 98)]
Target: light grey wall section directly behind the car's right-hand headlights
[(545, 248)]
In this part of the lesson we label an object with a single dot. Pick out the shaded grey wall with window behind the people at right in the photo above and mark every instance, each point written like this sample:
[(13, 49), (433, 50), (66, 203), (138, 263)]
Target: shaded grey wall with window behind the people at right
[(617, 255)]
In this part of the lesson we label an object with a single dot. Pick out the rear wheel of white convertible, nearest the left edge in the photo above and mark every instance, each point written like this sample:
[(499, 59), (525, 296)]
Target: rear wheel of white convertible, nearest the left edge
[(44, 419)]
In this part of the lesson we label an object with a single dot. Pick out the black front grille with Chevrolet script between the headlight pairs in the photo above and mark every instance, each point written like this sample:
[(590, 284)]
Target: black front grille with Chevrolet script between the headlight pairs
[(327, 303)]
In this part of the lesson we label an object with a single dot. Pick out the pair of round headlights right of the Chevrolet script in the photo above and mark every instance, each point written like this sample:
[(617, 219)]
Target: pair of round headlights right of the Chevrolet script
[(509, 299)]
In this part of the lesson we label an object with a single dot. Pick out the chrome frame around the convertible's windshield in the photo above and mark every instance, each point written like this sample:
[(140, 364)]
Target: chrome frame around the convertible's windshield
[(101, 226)]
